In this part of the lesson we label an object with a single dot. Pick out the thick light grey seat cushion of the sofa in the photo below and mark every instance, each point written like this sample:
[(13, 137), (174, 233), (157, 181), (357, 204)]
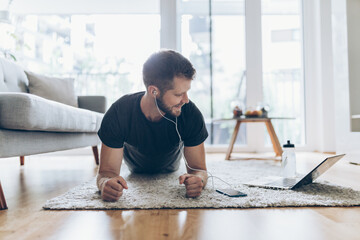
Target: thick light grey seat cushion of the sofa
[(25, 111)]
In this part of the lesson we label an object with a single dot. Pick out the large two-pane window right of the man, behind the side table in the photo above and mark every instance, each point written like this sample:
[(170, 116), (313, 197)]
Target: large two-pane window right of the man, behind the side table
[(213, 36)]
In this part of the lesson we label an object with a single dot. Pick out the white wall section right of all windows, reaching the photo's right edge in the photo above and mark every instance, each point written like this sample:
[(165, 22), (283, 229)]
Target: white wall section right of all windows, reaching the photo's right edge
[(331, 58)]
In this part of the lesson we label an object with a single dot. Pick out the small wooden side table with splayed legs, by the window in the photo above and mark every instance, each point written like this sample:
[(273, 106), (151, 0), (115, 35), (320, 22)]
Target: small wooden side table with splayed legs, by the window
[(274, 139)]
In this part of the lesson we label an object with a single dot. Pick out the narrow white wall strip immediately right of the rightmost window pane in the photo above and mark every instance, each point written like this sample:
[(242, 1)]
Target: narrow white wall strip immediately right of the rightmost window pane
[(319, 80)]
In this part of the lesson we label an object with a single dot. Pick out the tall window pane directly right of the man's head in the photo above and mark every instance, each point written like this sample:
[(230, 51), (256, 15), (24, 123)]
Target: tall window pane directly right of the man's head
[(219, 57)]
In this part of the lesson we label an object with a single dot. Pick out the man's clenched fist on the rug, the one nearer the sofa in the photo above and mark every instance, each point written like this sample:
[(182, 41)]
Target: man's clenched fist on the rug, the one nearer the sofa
[(113, 189)]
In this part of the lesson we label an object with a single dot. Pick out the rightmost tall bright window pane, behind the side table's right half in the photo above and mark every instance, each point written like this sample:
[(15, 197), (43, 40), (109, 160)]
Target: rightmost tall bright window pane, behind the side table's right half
[(283, 82)]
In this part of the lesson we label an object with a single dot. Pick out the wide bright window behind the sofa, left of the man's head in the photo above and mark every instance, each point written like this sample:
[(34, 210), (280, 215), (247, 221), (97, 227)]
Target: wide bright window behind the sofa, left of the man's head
[(104, 53)]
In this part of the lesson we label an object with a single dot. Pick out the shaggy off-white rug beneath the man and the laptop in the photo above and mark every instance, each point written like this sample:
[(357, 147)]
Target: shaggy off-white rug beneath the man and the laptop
[(164, 191)]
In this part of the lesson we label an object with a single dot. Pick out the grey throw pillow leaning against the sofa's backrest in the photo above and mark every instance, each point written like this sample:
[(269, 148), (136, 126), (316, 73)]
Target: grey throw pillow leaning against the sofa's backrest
[(57, 89)]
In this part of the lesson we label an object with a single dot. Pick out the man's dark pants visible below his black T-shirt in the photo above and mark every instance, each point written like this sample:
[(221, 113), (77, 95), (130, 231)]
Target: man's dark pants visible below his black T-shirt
[(162, 163)]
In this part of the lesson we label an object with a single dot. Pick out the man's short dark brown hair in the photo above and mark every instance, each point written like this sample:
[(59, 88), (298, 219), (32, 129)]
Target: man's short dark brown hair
[(162, 66)]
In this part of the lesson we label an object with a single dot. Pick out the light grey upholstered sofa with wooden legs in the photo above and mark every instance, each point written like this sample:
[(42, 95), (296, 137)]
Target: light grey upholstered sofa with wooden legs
[(33, 124)]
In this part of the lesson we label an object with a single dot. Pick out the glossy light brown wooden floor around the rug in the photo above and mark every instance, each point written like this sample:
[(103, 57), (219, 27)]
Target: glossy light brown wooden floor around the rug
[(43, 177)]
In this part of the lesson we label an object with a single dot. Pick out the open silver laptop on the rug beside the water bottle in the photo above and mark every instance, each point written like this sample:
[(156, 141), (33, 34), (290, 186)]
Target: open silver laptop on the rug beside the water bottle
[(275, 182)]
